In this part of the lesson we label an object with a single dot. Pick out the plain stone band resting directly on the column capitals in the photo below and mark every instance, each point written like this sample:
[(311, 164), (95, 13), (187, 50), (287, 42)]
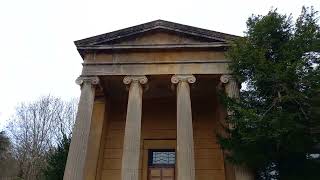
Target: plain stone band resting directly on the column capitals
[(156, 68)]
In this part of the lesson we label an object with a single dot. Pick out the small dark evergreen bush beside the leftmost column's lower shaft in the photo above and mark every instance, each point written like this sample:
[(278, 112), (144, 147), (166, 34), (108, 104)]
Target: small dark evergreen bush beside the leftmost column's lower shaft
[(57, 160)]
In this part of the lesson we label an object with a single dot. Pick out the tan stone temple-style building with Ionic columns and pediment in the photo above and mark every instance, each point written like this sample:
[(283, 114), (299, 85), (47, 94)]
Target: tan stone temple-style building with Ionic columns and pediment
[(148, 108)]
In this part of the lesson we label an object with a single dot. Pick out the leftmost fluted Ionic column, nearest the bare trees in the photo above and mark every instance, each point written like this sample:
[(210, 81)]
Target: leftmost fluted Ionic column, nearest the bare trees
[(77, 155)]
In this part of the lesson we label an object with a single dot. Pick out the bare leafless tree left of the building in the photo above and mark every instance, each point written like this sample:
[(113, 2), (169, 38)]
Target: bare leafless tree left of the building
[(36, 129)]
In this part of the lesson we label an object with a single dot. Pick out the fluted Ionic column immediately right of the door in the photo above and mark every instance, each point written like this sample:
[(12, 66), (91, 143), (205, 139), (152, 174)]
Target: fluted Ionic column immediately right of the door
[(185, 145)]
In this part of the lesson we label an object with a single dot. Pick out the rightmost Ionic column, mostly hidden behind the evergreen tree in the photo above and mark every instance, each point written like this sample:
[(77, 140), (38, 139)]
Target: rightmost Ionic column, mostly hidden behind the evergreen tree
[(232, 91)]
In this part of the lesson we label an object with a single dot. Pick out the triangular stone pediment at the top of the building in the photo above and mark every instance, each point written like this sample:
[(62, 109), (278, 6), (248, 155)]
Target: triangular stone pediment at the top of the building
[(157, 32)]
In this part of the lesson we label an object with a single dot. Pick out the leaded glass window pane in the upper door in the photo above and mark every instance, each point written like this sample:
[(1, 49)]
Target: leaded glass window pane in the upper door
[(162, 157)]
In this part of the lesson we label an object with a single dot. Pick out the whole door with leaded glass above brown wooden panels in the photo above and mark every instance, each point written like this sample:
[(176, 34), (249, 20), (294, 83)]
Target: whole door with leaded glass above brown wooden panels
[(161, 164)]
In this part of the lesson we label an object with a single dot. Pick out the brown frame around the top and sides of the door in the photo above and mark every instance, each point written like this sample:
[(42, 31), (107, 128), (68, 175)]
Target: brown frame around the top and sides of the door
[(155, 144)]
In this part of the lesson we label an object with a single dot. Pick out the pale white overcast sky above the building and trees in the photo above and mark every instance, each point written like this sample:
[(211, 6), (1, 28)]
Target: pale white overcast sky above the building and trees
[(38, 56)]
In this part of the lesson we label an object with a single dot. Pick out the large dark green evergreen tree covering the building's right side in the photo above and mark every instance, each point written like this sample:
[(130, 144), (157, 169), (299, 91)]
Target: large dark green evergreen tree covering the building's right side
[(274, 121)]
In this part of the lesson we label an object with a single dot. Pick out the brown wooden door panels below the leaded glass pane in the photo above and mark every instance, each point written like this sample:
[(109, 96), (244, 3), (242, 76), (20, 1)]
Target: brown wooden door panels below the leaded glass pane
[(161, 173)]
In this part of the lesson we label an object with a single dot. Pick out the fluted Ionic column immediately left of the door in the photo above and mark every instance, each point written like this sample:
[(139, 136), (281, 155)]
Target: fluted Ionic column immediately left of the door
[(131, 144)]
